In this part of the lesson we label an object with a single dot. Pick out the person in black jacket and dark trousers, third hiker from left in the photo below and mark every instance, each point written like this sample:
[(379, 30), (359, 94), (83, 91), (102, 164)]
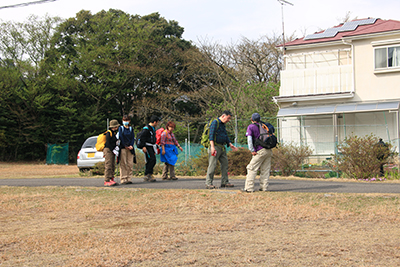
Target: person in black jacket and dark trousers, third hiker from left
[(149, 150)]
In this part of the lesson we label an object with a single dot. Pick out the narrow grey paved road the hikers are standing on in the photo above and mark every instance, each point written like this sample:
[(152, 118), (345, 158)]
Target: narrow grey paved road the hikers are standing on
[(275, 185)]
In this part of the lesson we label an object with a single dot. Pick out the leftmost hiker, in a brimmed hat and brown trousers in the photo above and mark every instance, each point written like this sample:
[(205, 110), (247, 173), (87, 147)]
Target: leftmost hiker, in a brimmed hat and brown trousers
[(110, 150)]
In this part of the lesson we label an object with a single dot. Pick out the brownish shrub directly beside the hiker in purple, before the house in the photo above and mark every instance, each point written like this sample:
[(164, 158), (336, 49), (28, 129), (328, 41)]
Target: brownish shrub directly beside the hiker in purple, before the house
[(289, 157)]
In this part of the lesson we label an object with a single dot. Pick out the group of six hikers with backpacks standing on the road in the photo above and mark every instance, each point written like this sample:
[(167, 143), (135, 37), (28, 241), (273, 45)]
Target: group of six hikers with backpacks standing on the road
[(120, 142)]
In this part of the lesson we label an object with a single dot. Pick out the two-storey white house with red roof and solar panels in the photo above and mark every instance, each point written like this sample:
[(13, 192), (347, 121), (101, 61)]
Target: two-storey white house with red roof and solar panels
[(341, 81)]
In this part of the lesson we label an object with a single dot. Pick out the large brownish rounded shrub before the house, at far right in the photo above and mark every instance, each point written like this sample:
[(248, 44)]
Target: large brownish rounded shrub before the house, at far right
[(361, 157)]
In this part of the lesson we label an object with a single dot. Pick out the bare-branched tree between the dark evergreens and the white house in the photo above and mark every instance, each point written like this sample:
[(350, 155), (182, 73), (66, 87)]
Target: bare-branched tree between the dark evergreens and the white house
[(242, 70)]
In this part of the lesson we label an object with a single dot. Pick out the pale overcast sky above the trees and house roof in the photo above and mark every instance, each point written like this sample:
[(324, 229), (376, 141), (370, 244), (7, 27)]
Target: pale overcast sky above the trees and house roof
[(222, 21)]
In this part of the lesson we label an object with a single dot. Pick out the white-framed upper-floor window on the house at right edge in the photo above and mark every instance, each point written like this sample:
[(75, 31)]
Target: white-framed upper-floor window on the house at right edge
[(387, 57)]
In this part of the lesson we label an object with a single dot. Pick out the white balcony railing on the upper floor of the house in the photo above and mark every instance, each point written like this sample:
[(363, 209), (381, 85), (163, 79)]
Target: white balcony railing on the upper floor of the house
[(315, 81)]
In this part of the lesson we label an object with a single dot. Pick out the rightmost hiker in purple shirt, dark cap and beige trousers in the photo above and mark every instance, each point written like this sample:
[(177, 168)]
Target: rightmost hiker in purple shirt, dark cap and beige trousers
[(261, 159)]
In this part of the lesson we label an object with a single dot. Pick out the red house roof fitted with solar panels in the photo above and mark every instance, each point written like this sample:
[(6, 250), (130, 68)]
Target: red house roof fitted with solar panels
[(339, 32)]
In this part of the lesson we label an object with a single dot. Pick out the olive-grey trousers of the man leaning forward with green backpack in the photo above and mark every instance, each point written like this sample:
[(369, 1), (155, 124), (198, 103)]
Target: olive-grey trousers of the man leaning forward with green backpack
[(212, 164)]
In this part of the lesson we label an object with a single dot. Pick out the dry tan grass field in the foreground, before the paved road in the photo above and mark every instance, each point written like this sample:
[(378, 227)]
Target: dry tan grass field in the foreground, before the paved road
[(68, 226)]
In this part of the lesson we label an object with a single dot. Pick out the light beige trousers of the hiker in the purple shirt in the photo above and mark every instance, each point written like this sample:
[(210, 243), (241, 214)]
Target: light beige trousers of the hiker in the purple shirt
[(262, 162)]
